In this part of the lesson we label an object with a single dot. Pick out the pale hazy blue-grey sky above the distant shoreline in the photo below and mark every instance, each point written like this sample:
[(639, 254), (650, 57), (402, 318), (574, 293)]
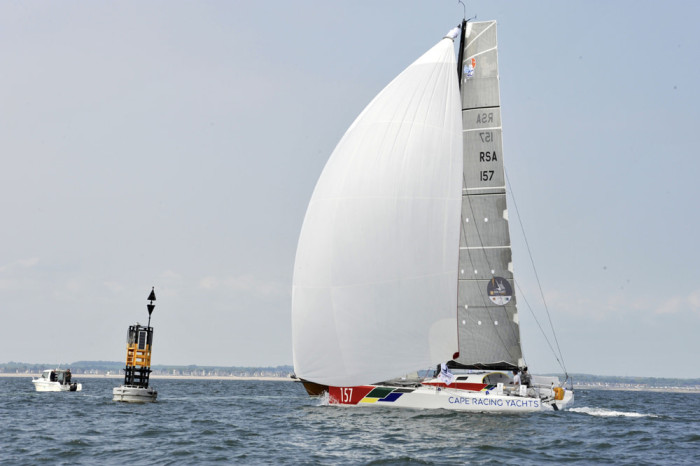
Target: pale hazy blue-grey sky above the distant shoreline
[(176, 144)]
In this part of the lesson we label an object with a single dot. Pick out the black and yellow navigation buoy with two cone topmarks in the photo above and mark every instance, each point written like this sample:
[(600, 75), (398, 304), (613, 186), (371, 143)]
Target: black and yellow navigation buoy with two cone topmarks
[(139, 342)]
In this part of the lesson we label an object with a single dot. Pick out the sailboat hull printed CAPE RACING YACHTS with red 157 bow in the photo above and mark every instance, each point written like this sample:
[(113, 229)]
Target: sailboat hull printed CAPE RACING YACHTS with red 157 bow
[(431, 397)]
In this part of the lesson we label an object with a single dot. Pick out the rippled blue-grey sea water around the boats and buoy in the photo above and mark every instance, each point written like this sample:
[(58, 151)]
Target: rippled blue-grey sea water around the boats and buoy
[(267, 422)]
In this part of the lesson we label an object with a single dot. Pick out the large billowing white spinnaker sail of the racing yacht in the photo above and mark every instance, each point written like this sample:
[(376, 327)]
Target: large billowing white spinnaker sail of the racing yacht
[(375, 276)]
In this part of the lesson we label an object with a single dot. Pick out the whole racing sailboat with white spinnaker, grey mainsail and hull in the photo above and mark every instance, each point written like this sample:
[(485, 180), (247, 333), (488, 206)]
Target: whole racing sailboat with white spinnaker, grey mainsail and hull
[(403, 265)]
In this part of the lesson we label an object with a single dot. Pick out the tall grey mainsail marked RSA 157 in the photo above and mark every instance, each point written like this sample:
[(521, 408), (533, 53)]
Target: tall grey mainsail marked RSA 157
[(489, 334)]
